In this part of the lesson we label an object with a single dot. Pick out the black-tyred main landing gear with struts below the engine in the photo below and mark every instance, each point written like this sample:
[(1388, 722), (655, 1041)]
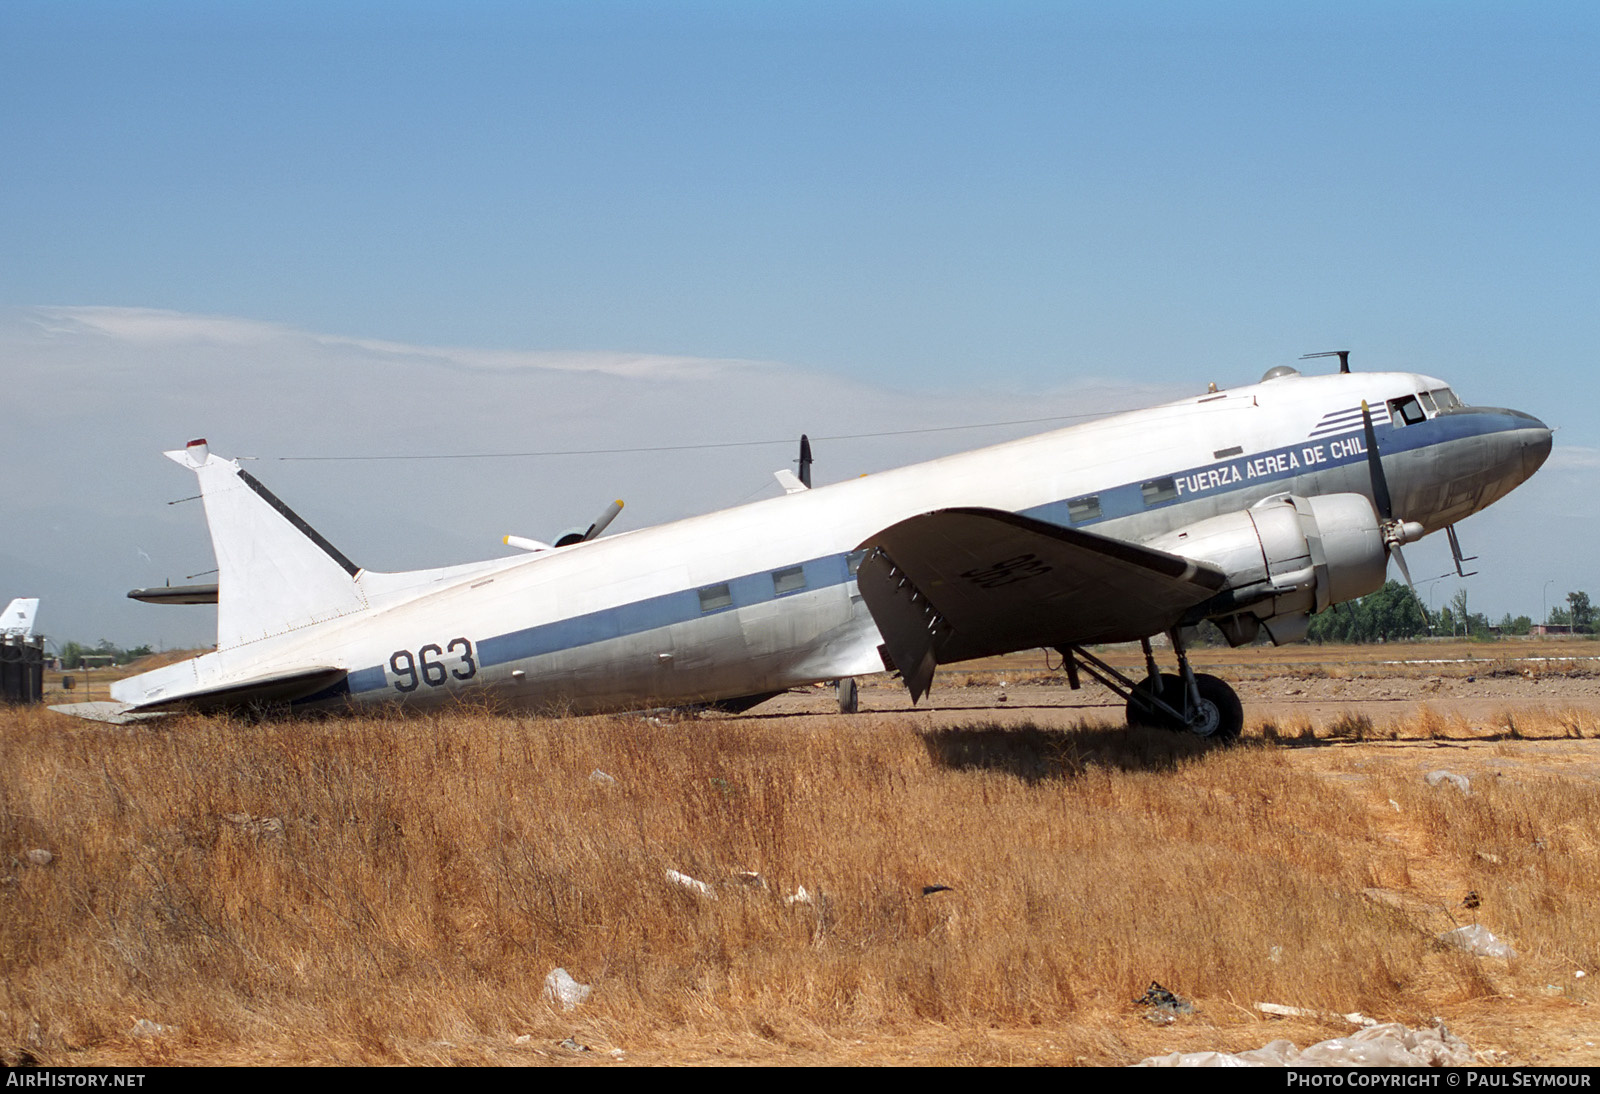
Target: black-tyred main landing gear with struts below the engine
[(1188, 701)]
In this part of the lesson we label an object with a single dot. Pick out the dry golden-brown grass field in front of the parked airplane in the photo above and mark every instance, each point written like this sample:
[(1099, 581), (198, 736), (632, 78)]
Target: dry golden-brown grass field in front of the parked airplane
[(396, 890)]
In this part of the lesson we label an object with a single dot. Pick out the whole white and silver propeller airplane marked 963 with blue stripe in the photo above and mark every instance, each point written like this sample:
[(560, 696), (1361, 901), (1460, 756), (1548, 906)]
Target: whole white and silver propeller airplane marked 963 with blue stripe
[(1254, 508)]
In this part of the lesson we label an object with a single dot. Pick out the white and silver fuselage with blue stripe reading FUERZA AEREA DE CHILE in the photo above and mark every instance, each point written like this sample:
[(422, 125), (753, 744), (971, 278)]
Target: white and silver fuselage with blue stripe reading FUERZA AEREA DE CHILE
[(762, 597)]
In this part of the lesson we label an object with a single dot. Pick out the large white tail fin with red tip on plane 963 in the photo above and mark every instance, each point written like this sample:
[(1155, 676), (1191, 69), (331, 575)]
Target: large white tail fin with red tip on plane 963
[(274, 572)]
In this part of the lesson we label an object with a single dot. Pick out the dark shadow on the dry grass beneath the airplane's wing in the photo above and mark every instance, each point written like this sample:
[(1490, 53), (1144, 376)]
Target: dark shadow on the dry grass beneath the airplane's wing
[(1038, 756)]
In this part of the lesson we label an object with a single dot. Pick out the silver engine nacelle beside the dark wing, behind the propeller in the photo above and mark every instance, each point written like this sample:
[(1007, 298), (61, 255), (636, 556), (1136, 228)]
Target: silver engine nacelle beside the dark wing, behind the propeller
[(1286, 561)]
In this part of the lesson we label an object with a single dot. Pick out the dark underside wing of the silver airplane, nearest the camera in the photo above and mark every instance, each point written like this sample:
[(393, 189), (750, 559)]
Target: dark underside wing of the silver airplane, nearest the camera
[(972, 583)]
